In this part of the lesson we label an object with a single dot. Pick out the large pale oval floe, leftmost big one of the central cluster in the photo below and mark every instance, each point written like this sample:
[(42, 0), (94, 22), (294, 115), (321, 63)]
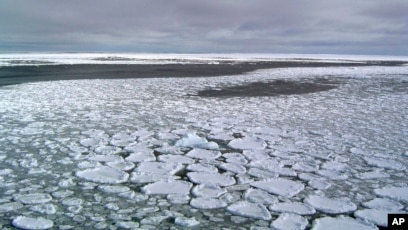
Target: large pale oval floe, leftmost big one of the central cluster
[(103, 174)]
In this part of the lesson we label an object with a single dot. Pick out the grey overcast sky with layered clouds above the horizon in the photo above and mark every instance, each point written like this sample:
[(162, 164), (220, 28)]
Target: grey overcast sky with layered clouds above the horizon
[(191, 26)]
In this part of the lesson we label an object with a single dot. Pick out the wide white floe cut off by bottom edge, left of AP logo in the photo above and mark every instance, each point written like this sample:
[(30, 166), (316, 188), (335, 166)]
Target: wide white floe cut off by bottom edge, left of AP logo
[(340, 223)]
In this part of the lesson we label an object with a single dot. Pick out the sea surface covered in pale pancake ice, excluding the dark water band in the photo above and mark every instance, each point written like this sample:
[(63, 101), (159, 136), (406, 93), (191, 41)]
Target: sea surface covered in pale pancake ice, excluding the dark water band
[(177, 153)]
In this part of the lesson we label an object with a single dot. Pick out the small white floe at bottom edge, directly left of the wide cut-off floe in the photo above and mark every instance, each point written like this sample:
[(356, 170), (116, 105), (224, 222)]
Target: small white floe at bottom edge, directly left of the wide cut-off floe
[(289, 221)]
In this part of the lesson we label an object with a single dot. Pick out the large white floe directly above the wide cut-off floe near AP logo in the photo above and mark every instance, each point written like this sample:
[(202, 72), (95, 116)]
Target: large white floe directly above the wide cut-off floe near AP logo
[(330, 205)]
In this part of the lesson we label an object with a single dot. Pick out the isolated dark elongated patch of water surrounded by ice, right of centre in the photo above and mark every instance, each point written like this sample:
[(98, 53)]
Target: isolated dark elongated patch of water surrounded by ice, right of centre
[(272, 88)]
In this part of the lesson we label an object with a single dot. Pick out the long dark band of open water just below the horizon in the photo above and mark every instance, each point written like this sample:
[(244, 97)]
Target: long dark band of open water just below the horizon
[(24, 74)]
